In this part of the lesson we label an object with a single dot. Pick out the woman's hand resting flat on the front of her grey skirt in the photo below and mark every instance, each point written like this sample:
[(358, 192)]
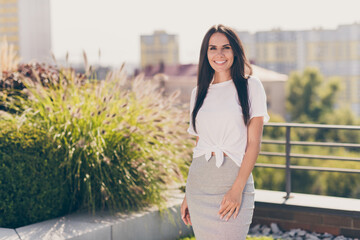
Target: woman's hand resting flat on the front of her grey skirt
[(231, 203)]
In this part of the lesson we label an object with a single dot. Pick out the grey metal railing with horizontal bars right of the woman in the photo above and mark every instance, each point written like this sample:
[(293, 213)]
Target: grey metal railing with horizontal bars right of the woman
[(288, 155)]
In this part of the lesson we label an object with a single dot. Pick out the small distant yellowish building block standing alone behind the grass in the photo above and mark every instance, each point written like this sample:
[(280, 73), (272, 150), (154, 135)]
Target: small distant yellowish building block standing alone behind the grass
[(159, 48)]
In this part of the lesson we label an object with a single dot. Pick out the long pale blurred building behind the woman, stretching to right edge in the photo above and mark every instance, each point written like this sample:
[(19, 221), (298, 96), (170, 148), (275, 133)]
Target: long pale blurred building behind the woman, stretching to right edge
[(334, 52)]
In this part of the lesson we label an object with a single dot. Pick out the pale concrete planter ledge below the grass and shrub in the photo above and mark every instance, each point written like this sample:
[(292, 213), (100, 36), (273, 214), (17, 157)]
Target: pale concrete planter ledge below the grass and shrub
[(149, 224)]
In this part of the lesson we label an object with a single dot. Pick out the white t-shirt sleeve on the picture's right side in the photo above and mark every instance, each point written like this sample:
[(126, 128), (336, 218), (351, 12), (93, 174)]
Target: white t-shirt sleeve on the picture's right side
[(257, 99)]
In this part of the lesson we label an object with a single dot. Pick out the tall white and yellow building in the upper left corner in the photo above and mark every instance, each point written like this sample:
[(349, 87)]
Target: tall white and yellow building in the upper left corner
[(26, 25)]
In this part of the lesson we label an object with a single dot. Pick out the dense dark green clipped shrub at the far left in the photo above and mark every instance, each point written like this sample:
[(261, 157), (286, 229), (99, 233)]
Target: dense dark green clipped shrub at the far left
[(31, 182)]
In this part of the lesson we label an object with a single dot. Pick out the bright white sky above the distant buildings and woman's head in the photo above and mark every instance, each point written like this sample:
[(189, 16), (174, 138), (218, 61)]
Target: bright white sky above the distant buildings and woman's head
[(115, 26)]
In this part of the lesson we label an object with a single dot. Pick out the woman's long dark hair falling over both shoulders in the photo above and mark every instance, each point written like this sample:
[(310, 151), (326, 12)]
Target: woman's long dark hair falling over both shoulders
[(238, 68)]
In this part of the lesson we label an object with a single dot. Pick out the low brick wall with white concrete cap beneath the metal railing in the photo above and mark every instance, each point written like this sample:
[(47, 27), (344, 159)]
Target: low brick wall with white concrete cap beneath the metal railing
[(335, 215)]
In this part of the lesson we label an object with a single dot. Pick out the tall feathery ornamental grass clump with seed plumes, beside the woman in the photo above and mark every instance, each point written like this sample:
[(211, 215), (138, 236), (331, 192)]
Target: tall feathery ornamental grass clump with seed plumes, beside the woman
[(121, 141)]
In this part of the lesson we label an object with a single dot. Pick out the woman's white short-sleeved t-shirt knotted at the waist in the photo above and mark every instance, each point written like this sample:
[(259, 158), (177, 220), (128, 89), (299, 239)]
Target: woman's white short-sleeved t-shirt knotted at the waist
[(220, 123)]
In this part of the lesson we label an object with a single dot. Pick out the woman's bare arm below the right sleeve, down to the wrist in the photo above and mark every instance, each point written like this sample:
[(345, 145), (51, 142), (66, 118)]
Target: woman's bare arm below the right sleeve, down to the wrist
[(254, 135)]
